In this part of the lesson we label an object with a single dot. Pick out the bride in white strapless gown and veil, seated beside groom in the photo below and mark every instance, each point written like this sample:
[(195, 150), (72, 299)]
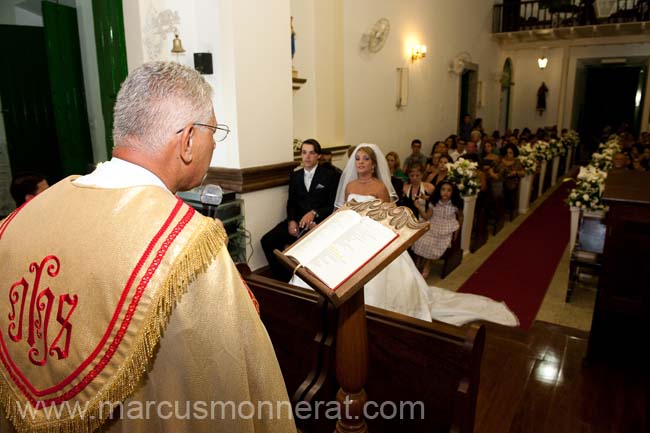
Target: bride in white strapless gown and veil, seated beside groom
[(400, 287)]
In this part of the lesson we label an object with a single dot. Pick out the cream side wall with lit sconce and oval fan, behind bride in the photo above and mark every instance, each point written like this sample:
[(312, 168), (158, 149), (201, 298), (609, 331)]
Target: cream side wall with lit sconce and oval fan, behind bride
[(446, 28)]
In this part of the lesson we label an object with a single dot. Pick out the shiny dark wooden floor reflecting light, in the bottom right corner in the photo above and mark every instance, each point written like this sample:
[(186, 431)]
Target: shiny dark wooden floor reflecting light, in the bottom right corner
[(534, 381)]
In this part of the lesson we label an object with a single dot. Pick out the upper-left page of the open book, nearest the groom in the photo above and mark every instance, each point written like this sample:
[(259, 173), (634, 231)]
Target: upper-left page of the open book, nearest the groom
[(318, 238)]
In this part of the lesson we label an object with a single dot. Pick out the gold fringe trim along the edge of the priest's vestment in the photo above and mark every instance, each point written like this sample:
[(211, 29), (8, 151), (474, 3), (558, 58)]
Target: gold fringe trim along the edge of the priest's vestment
[(200, 251)]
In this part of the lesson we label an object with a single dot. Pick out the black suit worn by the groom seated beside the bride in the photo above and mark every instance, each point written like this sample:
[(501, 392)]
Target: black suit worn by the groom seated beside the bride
[(319, 198)]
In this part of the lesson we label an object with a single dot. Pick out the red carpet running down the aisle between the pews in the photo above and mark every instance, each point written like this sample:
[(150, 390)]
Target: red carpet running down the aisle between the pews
[(520, 270)]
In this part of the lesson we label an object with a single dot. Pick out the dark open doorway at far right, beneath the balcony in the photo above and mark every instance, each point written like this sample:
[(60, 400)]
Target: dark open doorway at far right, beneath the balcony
[(620, 85)]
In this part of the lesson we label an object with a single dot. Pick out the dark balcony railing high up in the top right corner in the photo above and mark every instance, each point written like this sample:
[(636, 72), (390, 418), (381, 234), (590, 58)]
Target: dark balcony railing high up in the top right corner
[(544, 14)]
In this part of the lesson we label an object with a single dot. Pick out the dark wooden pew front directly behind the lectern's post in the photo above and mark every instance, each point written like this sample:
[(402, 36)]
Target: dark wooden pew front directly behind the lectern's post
[(410, 360)]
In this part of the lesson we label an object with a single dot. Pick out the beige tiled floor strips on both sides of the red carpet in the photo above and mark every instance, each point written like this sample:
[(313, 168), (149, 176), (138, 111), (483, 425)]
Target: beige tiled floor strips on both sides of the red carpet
[(576, 314)]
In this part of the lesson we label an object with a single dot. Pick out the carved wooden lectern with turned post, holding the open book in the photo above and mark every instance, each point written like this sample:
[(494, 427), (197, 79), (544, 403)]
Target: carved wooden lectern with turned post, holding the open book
[(348, 298)]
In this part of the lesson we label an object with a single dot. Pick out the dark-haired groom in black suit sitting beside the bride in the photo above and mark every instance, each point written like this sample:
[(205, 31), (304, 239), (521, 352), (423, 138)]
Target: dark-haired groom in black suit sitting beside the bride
[(311, 199)]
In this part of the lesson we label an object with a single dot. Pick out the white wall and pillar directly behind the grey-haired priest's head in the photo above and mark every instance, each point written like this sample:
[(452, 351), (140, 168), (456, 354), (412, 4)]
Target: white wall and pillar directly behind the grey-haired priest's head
[(249, 41)]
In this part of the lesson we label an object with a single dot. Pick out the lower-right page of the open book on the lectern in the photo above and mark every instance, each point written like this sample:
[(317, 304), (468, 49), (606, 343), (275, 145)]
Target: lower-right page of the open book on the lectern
[(349, 251)]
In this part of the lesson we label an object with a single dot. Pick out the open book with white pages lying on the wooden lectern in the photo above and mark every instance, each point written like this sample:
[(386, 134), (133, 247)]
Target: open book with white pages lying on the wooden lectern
[(340, 246)]
